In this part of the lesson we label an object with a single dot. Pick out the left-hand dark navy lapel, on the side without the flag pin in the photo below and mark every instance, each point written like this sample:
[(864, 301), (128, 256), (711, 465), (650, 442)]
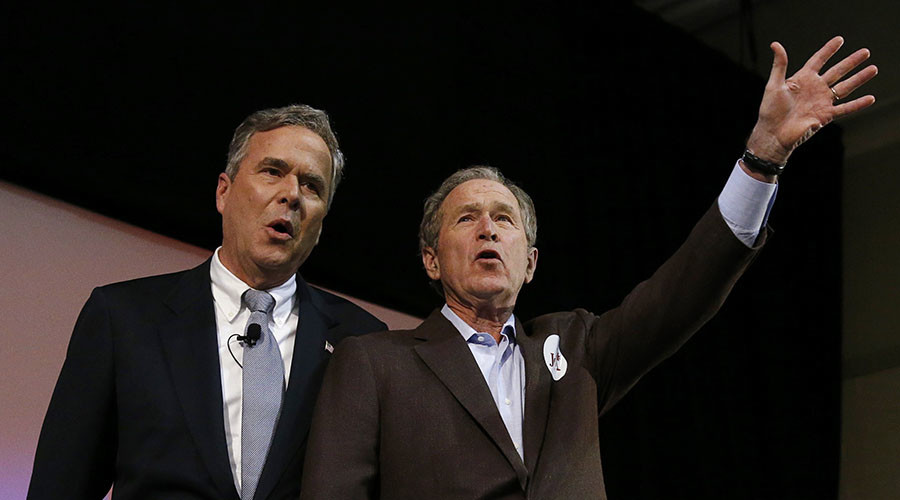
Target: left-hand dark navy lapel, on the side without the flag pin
[(190, 344)]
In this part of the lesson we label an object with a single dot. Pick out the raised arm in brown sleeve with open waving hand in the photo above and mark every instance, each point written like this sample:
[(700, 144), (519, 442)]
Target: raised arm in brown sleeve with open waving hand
[(661, 313)]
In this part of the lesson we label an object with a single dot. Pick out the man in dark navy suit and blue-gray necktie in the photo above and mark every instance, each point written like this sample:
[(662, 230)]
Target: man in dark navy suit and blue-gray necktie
[(153, 396)]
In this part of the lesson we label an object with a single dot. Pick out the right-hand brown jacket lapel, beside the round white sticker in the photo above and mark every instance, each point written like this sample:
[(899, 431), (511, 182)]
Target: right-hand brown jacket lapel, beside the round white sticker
[(537, 395)]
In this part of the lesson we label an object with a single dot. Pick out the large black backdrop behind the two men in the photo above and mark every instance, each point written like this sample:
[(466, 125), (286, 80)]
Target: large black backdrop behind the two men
[(622, 128)]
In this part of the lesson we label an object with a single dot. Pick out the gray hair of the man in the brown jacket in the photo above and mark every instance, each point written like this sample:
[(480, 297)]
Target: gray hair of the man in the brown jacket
[(432, 215)]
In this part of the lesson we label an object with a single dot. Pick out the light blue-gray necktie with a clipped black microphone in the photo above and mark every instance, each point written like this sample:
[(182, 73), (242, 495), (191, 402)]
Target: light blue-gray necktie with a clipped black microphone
[(263, 390)]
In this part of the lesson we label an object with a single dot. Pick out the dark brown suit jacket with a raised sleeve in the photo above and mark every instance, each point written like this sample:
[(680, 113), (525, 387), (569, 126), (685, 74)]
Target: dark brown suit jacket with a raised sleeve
[(407, 414)]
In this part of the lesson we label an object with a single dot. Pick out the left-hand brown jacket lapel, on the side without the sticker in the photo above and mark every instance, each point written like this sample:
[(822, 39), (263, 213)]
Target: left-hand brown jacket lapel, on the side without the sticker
[(447, 355)]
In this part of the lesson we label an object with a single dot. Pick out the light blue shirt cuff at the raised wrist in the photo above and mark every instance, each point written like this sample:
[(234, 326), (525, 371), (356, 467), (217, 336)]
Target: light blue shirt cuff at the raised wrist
[(745, 204)]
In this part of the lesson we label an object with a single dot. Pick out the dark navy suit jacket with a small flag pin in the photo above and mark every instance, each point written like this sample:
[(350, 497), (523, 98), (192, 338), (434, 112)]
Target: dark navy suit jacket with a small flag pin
[(138, 403)]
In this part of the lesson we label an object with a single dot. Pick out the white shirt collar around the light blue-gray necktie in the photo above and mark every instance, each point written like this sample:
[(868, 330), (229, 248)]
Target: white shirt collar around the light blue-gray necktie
[(228, 288)]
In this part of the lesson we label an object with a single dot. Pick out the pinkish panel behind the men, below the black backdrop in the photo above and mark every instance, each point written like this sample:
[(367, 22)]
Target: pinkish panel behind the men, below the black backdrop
[(51, 256)]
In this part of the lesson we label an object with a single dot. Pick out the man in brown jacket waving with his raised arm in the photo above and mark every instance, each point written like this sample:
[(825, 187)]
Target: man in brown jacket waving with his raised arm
[(477, 404)]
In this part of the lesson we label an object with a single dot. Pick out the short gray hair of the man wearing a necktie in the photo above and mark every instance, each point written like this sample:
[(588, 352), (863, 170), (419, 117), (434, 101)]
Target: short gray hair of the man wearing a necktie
[(269, 119)]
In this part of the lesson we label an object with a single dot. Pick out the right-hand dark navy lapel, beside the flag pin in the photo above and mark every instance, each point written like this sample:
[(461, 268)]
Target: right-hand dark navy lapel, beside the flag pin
[(307, 370)]
